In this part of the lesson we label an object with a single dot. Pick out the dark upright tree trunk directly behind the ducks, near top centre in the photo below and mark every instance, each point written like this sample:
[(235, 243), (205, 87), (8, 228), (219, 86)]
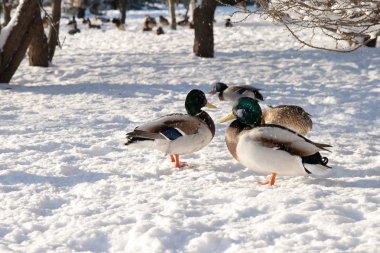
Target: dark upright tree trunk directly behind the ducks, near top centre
[(203, 18)]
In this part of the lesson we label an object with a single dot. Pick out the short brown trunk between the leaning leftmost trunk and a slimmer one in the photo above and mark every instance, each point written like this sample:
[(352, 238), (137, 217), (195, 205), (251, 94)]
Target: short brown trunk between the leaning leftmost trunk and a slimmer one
[(38, 48)]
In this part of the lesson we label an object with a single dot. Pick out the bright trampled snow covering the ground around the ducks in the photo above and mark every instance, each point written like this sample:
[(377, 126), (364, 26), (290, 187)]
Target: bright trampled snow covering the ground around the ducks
[(68, 184)]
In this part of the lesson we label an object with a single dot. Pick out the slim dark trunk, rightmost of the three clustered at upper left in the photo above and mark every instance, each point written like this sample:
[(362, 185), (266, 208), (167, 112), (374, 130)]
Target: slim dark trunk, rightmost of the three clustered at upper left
[(54, 28)]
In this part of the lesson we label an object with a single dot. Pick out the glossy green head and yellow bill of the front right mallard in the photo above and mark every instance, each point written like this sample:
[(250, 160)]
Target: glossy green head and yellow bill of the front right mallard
[(247, 111)]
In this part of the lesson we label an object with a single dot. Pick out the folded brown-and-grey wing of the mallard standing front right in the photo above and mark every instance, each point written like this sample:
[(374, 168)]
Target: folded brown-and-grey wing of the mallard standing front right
[(278, 137)]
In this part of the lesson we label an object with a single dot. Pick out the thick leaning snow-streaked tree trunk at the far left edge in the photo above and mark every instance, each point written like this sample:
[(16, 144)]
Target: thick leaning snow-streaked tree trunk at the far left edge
[(18, 39)]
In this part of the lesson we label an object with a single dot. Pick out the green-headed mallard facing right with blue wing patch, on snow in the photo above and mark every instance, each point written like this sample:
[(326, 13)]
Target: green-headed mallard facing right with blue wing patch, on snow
[(177, 134)]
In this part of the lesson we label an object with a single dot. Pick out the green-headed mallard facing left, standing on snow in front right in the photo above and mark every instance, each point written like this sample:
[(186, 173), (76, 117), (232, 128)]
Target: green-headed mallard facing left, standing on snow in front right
[(271, 149)]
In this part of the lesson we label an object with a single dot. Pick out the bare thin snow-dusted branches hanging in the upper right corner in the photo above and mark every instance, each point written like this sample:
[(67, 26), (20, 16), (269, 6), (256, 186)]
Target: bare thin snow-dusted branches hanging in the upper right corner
[(349, 24)]
